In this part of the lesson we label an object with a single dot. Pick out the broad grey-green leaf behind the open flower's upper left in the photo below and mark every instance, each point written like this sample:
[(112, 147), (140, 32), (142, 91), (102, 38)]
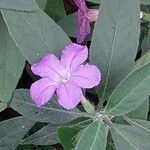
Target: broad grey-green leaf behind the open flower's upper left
[(35, 34)]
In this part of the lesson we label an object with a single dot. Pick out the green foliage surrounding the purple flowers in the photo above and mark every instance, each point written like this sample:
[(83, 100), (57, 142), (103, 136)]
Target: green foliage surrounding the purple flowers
[(119, 46)]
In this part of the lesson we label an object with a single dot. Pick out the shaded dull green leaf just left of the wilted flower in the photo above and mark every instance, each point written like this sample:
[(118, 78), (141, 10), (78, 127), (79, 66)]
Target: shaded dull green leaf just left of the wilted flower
[(69, 25)]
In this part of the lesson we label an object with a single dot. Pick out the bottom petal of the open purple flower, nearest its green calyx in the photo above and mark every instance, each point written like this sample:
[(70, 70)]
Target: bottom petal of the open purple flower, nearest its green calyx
[(69, 95)]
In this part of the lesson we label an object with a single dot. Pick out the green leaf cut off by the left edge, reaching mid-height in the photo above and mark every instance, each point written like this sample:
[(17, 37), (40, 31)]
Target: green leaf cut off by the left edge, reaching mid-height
[(11, 64)]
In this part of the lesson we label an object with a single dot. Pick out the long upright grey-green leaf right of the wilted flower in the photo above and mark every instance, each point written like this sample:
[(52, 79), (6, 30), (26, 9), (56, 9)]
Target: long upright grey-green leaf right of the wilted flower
[(115, 42)]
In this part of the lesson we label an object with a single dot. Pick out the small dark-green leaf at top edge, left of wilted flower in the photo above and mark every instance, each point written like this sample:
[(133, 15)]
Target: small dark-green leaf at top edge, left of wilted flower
[(55, 9)]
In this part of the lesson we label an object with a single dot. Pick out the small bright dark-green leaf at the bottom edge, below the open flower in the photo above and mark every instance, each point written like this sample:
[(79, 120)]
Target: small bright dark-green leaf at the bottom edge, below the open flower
[(66, 136)]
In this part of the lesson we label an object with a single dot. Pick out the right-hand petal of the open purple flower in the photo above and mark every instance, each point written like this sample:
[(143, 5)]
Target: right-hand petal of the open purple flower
[(86, 76)]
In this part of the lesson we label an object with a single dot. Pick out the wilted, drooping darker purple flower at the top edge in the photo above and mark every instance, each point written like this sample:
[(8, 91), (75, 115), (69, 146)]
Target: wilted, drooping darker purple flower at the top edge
[(85, 17)]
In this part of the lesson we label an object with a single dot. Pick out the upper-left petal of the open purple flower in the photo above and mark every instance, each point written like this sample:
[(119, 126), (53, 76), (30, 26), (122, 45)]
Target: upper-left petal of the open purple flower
[(49, 67)]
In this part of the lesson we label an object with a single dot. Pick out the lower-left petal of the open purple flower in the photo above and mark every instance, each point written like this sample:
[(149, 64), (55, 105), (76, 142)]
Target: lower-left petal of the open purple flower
[(42, 90)]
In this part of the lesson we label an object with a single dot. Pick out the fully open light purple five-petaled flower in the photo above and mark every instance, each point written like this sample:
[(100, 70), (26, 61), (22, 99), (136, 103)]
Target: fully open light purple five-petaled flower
[(65, 76)]
